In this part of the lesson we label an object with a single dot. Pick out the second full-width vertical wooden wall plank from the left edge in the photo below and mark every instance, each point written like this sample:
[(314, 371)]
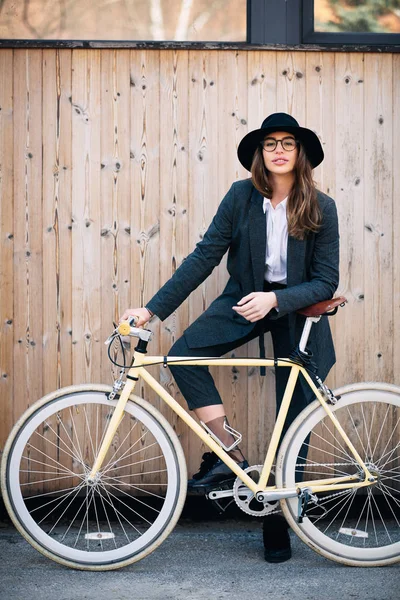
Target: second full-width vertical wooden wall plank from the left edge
[(57, 339)]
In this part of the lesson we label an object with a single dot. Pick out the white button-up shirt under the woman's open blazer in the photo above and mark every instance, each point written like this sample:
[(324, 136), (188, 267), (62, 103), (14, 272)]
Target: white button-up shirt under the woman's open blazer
[(277, 237)]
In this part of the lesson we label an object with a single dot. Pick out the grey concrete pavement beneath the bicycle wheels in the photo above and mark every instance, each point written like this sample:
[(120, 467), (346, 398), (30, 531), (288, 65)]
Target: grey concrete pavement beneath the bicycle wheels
[(213, 559)]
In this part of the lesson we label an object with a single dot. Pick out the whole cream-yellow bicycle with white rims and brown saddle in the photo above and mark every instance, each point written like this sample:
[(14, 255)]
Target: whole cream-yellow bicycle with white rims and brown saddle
[(118, 475)]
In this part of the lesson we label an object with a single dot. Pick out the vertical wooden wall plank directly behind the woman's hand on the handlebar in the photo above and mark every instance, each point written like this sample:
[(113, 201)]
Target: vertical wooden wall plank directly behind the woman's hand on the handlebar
[(145, 187)]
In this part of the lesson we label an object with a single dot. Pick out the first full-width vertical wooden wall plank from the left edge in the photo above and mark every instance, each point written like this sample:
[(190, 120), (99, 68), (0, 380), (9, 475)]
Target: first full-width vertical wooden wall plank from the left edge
[(28, 273)]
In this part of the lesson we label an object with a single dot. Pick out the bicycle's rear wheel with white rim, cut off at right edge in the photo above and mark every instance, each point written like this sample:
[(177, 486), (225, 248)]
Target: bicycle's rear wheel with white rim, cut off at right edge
[(358, 527)]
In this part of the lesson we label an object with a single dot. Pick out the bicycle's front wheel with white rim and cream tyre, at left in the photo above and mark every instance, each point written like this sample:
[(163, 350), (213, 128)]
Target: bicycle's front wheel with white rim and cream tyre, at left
[(121, 517)]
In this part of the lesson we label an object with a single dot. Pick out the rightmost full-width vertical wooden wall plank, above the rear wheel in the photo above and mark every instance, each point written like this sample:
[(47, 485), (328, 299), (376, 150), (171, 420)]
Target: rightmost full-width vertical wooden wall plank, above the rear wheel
[(378, 218)]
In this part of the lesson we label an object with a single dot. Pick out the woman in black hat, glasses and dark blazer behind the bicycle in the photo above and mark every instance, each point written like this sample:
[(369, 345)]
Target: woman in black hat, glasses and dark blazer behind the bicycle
[(283, 242)]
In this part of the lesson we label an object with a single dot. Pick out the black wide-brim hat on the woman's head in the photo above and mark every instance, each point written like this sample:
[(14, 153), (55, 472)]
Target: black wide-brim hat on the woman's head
[(286, 123)]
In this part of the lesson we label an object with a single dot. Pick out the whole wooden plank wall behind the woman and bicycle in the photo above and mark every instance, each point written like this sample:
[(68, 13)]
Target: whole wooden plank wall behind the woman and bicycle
[(112, 164)]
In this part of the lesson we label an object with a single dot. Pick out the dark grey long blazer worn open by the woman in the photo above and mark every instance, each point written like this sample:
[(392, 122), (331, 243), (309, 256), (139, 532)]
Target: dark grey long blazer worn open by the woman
[(239, 226)]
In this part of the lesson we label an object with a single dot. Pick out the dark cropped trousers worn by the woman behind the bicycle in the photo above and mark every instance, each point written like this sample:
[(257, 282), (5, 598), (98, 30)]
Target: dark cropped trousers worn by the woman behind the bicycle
[(197, 384)]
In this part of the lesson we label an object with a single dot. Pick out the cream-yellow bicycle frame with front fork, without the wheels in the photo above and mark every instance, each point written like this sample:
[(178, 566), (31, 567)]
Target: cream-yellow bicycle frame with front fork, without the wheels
[(138, 370)]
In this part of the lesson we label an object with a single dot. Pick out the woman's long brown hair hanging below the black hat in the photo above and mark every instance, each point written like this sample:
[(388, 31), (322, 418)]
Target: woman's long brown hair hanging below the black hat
[(303, 212)]
